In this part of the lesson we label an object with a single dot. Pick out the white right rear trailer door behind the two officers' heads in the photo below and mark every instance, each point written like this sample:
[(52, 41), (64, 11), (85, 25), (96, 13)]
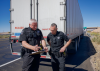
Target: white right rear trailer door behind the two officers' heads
[(50, 11)]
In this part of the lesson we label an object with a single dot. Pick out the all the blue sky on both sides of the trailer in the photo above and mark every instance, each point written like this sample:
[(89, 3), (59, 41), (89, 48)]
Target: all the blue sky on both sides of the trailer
[(90, 11)]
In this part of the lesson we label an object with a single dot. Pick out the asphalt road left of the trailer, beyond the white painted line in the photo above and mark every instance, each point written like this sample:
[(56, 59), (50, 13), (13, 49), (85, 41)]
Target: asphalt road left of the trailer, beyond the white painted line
[(5, 53)]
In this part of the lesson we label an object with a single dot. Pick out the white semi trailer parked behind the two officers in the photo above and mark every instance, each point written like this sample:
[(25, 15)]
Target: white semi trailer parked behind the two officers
[(65, 13)]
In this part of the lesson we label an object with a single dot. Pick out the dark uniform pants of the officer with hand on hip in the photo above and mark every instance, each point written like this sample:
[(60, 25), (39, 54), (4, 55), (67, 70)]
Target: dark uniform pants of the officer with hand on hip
[(58, 63)]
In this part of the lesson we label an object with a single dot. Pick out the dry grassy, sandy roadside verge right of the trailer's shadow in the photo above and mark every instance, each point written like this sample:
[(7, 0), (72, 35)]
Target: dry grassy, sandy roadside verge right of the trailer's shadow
[(95, 59)]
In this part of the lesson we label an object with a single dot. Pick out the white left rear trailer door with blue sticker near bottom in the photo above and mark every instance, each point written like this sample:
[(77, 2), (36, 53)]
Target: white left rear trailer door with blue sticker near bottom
[(20, 16)]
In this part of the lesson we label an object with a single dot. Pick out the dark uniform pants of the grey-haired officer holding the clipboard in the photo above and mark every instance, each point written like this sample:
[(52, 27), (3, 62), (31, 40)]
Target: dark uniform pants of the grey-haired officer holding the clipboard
[(30, 62)]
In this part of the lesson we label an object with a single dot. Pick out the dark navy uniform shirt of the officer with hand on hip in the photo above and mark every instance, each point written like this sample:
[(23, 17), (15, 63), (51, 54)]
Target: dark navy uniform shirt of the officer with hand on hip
[(57, 41)]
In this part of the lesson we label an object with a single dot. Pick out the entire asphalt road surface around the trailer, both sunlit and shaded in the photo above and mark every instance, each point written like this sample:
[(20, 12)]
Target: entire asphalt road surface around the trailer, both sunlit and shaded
[(74, 62)]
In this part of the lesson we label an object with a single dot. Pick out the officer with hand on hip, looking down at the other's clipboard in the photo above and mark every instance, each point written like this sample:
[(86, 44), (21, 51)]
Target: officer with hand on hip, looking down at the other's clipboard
[(57, 51)]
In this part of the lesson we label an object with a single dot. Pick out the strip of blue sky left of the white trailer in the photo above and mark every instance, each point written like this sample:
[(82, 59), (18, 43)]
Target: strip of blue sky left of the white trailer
[(4, 15)]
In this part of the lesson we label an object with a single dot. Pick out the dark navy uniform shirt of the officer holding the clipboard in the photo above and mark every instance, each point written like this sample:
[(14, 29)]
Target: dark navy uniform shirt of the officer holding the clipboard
[(31, 37)]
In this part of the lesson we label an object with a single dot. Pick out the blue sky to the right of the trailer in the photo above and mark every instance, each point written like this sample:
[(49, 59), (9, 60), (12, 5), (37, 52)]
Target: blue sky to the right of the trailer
[(90, 10)]
